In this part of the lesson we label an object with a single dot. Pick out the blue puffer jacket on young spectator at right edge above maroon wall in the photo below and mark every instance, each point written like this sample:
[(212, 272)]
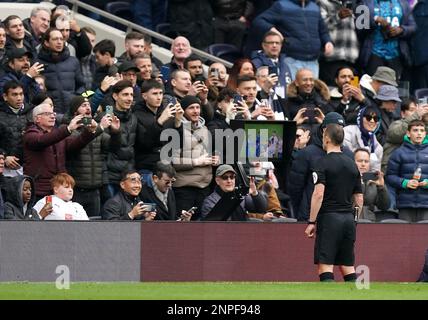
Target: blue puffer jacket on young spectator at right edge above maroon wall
[(401, 166)]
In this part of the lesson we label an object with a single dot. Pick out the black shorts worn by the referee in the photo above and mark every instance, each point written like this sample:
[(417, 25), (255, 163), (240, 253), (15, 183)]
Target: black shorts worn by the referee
[(335, 239)]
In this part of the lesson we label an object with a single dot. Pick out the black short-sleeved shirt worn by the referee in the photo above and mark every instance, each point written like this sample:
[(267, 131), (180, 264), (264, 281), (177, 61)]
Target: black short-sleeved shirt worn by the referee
[(341, 178)]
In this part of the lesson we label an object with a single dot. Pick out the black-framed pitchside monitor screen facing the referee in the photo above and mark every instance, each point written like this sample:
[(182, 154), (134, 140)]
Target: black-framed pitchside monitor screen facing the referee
[(264, 140)]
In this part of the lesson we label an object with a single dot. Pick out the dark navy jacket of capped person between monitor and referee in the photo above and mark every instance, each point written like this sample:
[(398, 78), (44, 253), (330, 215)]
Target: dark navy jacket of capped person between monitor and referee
[(300, 183)]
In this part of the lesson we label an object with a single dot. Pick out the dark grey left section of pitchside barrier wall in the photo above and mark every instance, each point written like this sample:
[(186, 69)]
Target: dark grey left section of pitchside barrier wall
[(93, 251)]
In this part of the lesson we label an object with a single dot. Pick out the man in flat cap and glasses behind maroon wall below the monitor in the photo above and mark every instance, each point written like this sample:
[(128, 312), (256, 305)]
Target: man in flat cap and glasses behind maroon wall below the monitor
[(225, 185)]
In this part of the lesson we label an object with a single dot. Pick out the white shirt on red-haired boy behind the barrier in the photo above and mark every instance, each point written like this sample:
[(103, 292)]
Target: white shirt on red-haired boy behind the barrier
[(62, 210)]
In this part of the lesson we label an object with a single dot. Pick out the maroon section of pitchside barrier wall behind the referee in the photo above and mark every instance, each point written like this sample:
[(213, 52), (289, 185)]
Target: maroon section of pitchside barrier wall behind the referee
[(271, 252)]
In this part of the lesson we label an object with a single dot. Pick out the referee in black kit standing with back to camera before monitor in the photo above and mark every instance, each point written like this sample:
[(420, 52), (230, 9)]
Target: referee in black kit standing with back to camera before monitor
[(337, 193)]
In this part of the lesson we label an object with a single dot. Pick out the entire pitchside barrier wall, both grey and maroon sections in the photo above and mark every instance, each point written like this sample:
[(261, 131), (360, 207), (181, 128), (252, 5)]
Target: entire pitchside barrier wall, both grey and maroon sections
[(211, 251)]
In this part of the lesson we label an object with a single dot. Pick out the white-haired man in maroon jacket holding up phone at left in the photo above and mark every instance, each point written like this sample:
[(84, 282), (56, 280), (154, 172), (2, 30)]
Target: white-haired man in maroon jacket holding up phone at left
[(45, 146)]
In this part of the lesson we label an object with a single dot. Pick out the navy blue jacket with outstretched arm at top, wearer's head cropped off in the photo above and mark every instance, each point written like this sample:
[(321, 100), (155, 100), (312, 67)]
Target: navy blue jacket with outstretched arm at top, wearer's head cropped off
[(303, 28)]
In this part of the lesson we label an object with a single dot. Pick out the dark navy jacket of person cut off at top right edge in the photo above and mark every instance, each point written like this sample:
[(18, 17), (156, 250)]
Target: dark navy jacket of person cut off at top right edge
[(420, 38)]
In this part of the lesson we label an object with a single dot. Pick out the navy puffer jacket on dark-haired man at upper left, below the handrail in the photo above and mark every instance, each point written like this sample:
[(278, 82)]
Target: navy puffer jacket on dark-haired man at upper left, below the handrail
[(63, 77)]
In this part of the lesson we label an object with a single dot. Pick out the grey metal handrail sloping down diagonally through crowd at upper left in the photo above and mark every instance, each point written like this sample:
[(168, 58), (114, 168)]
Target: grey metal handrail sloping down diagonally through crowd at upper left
[(130, 25)]
